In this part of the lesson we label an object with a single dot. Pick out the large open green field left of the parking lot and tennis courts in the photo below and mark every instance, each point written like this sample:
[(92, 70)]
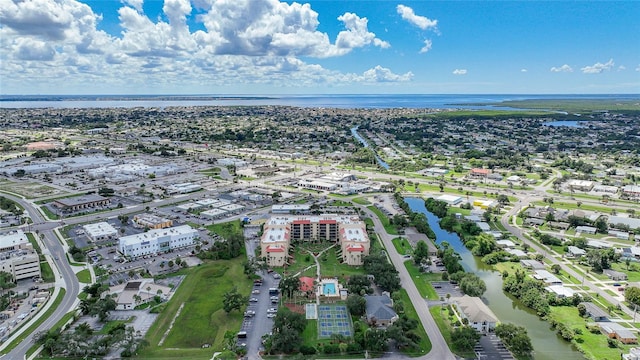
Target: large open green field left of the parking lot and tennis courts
[(202, 319)]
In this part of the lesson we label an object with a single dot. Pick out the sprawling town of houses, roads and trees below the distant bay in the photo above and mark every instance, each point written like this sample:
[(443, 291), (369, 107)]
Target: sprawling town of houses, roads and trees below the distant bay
[(423, 241)]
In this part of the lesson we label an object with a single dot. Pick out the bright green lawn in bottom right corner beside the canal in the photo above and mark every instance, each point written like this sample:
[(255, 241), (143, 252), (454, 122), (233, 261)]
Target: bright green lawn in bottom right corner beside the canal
[(594, 346)]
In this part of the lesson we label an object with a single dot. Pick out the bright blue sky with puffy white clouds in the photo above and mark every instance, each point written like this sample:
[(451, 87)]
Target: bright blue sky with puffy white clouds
[(318, 47)]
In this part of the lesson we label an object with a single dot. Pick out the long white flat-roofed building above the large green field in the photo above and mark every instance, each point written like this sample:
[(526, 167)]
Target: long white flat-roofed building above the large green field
[(157, 241)]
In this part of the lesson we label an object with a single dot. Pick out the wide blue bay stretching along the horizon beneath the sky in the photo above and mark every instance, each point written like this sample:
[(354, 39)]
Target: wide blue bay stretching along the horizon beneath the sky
[(441, 101)]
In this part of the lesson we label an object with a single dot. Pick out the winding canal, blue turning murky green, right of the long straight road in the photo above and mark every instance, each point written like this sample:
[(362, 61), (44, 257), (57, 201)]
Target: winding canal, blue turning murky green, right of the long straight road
[(547, 345)]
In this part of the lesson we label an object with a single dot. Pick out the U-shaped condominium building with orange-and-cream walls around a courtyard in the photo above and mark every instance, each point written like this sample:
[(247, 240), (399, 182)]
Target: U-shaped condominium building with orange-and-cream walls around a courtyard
[(349, 231)]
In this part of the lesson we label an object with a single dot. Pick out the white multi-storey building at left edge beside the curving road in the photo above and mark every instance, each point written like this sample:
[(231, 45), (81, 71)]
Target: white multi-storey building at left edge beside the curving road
[(17, 256)]
